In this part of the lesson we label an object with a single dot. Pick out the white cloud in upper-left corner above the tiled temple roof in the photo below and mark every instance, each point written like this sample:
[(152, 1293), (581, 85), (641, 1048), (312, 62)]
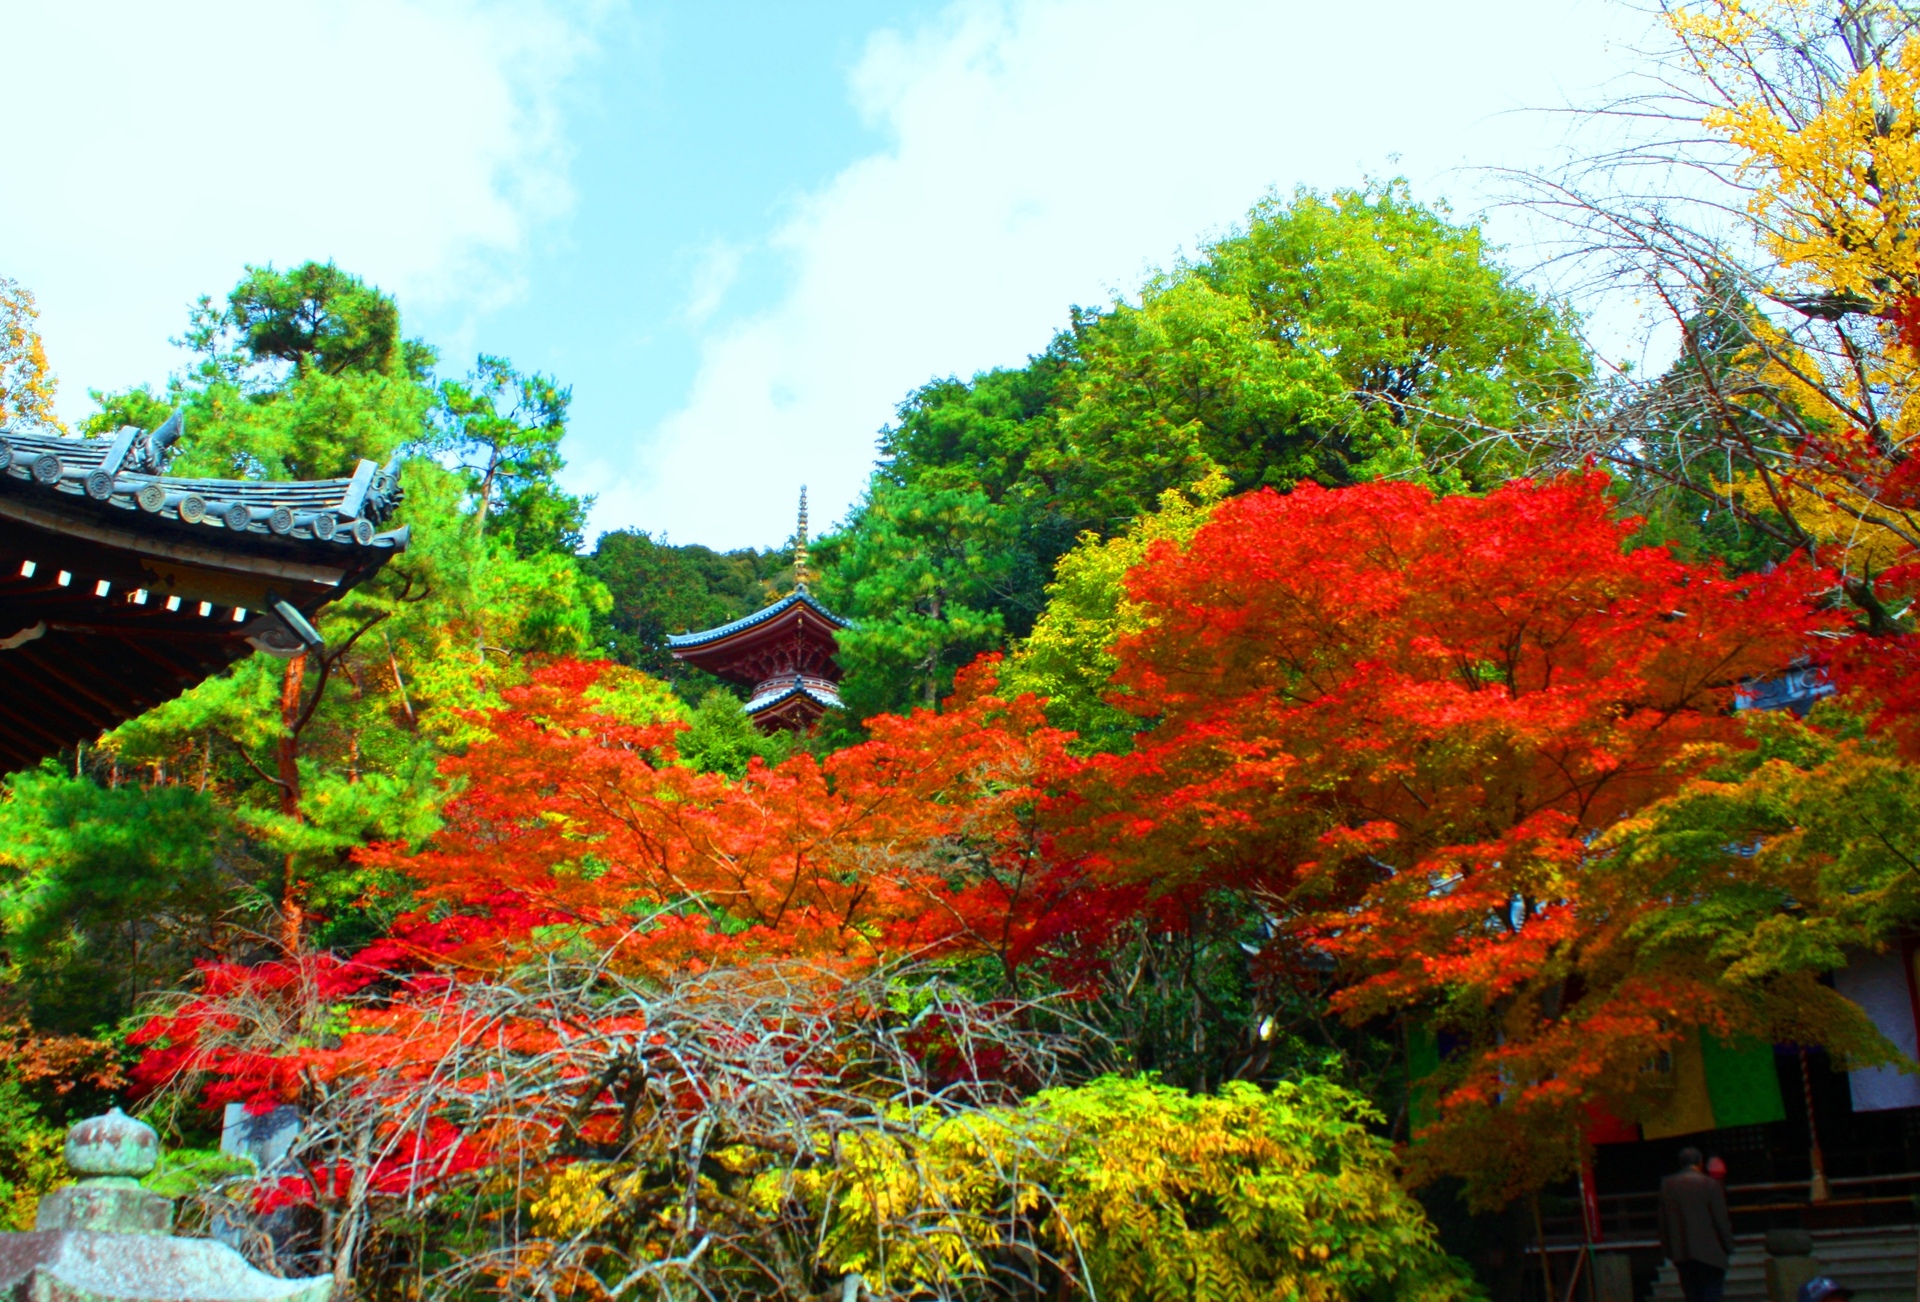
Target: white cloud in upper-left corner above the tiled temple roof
[(158, 147)]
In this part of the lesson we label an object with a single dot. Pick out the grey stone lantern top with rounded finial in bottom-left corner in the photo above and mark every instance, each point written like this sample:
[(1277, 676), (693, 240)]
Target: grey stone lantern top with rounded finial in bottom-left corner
[(107, 1240)]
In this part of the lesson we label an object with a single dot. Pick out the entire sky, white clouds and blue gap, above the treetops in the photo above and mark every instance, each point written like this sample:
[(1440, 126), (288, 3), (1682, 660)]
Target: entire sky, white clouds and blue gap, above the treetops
[(742, 231)]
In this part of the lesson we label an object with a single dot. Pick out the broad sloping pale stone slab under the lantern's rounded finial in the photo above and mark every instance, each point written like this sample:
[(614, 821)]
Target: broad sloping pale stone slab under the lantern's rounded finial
[(87, 1266)]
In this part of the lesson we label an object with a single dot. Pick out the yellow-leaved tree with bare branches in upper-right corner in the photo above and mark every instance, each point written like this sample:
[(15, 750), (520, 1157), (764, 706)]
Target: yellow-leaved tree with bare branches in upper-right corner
[(1771, 222)]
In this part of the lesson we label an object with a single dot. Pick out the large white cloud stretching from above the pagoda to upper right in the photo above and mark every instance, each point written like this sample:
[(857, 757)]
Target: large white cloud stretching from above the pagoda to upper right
[(1051, 153)]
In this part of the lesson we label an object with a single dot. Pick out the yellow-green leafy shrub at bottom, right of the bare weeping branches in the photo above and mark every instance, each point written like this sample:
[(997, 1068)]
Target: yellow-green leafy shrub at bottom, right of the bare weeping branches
[(1138, 1192)]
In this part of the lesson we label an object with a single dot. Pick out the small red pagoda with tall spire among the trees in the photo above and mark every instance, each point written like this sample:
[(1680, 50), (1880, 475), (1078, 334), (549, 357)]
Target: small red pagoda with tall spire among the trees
[(782, 652)]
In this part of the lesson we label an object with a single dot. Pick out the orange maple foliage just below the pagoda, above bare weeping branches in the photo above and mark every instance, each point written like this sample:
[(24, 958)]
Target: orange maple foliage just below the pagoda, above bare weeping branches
[(573, 827)]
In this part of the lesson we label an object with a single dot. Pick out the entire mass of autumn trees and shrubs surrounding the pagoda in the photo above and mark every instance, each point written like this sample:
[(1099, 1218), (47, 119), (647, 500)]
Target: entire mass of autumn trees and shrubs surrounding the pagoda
[(1297, 769)]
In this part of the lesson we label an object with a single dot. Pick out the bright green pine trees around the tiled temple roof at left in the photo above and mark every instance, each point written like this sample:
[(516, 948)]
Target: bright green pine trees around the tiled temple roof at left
[(300, 375)]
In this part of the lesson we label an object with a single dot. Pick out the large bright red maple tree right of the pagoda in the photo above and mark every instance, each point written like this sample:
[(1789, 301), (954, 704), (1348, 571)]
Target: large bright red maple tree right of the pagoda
[(1399, 721)]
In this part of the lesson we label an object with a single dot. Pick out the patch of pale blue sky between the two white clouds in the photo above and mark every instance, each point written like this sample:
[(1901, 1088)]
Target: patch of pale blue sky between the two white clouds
[(692, 132)]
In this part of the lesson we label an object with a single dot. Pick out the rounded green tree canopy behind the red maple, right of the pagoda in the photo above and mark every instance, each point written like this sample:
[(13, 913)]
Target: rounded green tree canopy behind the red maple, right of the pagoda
[(1333, 339)]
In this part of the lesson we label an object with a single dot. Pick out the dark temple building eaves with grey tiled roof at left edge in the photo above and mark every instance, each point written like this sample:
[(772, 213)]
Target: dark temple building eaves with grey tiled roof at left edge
[(124, 587)]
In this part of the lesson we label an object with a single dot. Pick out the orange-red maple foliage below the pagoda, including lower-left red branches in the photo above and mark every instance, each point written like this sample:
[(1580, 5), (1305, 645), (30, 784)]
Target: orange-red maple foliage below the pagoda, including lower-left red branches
[(573, 831)]
